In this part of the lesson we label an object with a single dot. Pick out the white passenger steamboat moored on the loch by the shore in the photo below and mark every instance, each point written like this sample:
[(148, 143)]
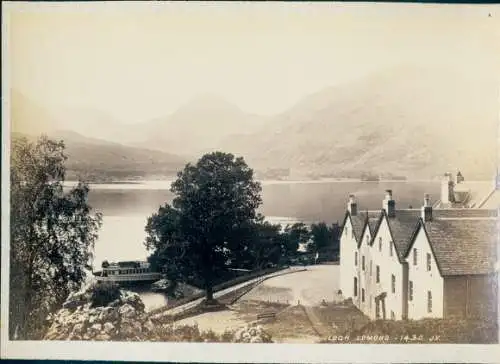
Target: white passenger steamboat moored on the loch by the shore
[(127, 272)]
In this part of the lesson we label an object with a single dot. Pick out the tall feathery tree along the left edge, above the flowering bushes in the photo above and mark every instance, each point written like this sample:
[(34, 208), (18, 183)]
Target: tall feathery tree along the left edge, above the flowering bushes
[(52, 234)]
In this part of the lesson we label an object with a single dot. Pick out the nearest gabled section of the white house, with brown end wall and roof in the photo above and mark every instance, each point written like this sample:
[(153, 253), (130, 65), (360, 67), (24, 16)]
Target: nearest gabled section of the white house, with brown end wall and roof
[(451, 264)]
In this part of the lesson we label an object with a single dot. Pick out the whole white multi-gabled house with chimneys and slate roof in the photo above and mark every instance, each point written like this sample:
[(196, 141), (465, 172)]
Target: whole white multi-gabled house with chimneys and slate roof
[(409, 263)]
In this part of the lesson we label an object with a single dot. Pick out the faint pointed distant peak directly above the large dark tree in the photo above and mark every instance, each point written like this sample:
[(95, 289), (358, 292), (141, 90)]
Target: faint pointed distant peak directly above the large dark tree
[(198, 126)]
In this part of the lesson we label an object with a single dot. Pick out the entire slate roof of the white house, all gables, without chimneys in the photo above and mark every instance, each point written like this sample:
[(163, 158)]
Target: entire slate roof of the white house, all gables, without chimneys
[(463, 241)]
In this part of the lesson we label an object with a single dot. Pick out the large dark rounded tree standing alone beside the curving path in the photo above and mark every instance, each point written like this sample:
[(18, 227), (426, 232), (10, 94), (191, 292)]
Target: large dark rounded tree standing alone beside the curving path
[(193, 238)]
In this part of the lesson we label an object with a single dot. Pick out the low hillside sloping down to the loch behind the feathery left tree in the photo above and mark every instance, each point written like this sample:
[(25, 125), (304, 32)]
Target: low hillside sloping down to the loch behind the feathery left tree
[(91, 158)]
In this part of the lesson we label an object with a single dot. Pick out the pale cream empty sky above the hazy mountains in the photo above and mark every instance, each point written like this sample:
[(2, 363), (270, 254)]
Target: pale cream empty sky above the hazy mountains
[(137, 61)]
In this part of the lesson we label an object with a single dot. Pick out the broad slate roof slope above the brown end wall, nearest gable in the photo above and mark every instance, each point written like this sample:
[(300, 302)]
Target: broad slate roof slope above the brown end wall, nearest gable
[(464, 246)]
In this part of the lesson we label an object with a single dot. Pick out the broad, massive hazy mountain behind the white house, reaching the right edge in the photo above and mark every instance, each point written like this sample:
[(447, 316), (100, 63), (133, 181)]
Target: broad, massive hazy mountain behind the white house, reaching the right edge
[(412, 121)]
